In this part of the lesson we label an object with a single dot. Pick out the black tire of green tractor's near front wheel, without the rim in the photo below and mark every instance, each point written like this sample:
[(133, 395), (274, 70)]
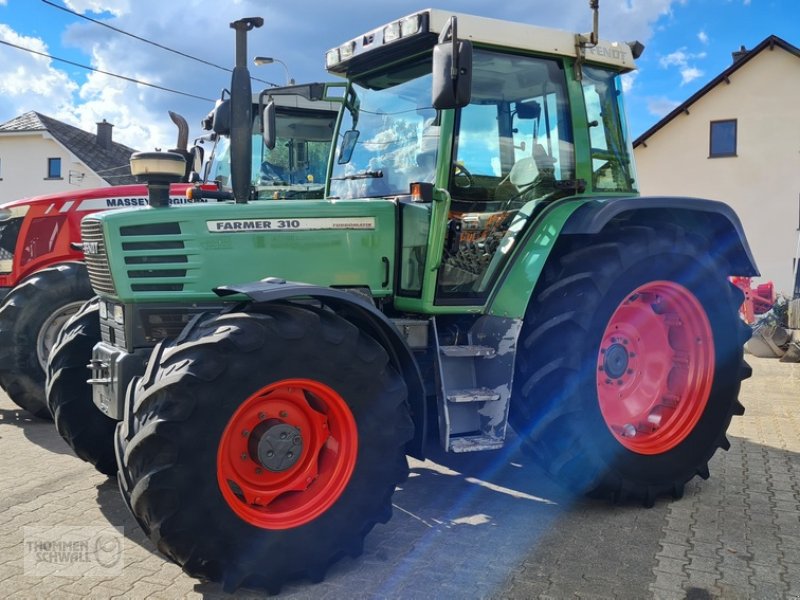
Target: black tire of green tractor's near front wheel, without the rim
[(168, 454)]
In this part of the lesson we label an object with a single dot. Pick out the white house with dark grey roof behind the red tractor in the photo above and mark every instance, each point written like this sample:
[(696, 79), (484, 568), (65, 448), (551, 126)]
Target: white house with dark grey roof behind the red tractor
[(42, 155)]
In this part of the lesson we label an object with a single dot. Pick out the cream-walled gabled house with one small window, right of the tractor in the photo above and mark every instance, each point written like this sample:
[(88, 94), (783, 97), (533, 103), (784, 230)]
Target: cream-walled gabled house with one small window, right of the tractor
[(737, 140)]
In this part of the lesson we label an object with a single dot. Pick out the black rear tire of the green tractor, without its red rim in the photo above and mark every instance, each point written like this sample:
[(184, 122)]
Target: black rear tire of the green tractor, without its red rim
[(556, 410)]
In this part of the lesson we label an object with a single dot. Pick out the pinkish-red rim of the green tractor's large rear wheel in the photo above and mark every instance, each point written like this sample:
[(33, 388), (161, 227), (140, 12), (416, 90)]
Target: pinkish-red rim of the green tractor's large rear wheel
[(655, 367)]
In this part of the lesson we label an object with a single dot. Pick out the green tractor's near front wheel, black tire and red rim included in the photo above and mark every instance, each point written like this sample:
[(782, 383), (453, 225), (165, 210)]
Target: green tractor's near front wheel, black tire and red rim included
[(263, 446)]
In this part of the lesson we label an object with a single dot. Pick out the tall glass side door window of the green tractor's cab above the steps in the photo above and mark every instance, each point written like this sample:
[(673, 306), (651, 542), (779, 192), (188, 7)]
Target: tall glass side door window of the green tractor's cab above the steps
[(513, 145)]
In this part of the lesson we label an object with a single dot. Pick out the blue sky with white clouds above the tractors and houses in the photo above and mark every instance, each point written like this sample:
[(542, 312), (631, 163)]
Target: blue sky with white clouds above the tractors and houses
[(688, 42)]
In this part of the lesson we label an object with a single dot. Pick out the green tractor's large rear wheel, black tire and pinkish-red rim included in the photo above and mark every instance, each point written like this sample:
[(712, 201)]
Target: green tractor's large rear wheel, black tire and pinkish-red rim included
[(630, 364)]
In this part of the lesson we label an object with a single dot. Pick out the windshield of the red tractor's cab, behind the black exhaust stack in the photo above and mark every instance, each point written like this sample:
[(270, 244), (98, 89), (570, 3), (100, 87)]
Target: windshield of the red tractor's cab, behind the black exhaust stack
[(296, 167)]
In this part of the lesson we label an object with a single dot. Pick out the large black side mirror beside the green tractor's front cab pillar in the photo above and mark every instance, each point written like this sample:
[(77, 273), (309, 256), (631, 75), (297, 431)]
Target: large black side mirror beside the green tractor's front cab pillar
[(452, 70)]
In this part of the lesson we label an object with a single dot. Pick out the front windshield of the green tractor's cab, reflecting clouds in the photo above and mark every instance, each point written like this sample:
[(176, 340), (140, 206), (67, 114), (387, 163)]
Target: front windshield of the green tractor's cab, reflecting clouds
[(388, 136)]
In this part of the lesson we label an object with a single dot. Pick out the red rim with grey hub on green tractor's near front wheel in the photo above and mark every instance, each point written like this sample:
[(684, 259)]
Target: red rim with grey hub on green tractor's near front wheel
[(287, 454)]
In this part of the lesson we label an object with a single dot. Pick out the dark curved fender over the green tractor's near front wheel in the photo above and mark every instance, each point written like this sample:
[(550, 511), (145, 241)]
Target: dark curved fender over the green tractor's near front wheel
[(364, 315)]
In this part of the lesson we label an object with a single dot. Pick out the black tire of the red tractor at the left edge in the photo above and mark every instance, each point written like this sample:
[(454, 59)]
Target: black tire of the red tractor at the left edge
[(23, 313)]
